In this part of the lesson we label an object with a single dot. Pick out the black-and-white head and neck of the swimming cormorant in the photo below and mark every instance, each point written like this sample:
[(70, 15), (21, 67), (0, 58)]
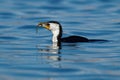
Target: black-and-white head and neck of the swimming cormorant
[(55, 27)]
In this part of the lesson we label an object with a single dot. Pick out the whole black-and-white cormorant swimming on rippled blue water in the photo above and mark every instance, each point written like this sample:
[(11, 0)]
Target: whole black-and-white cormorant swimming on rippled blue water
[(56, 29)]
